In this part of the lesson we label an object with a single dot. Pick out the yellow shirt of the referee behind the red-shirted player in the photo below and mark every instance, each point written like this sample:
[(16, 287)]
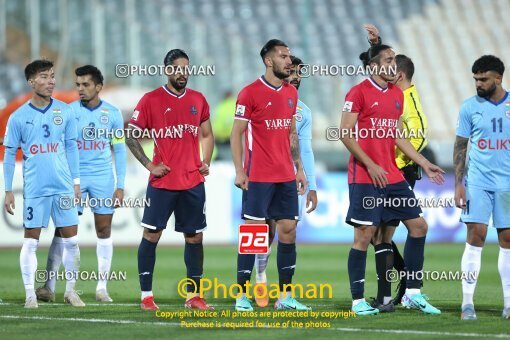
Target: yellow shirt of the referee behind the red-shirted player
[(415, 125)]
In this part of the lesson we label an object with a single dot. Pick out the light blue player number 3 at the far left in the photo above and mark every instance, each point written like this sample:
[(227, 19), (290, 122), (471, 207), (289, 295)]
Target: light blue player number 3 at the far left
[(45, 128)]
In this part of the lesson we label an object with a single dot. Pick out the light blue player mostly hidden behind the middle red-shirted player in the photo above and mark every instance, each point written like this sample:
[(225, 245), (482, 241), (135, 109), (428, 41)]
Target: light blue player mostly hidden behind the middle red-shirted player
[(304, 130)]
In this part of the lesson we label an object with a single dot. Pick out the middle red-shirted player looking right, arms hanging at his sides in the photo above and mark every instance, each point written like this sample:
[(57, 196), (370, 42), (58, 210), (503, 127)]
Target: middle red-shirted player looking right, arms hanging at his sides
[(265, 115)]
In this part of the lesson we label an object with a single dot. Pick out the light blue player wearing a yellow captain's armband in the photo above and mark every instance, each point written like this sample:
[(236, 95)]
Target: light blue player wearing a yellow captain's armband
[(97, 180)]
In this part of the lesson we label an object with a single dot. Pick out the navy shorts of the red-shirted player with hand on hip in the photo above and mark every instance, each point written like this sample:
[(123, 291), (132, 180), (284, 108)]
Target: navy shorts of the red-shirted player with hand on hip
[(188, 206)]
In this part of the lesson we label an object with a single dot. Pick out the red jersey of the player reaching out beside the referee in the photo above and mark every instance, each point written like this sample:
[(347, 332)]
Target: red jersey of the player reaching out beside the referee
[(379, 111)]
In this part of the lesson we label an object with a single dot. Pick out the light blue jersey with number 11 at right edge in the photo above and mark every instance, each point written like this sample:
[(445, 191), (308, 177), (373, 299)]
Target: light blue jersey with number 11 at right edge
[(487, 125)]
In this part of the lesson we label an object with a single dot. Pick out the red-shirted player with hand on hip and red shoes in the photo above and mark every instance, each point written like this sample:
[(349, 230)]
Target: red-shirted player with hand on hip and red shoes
[(176, 116)]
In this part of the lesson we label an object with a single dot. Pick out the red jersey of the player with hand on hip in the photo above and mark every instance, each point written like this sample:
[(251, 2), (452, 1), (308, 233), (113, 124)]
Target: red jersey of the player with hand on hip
[(175, 124)]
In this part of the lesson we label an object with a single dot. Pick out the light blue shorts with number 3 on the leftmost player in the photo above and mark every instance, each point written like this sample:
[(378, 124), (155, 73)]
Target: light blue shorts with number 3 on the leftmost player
[(37, 211)]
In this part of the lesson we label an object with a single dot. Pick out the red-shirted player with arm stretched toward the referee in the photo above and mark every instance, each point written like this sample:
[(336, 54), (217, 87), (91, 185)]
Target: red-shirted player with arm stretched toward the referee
[(373, 110)]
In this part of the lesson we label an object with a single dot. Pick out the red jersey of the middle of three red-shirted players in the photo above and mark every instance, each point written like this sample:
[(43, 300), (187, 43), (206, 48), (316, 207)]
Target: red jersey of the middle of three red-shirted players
[(269, 111)]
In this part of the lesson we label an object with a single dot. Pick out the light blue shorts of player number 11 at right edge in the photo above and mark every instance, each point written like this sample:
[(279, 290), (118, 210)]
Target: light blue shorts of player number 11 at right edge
[(481, 204)]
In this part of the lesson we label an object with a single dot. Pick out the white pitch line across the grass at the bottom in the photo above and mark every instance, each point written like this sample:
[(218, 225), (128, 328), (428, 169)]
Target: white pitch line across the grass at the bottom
[(133, 322)]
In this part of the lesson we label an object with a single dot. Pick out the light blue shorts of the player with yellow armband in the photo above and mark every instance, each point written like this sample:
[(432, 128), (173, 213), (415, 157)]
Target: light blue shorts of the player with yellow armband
[(99, 190)]
